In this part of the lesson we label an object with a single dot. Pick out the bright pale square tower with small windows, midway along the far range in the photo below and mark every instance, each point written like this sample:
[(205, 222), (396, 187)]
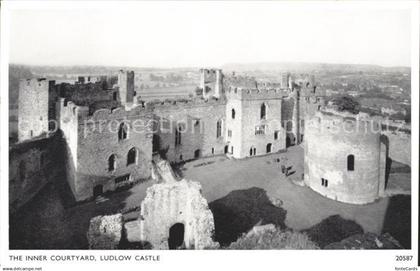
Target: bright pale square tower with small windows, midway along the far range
[(253, 122)]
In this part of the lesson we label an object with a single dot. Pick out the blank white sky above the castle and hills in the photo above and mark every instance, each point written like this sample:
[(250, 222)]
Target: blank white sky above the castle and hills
[(185, 34)]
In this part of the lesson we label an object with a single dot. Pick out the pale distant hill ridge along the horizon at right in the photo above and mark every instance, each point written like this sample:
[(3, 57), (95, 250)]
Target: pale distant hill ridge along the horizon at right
[(310, 67)]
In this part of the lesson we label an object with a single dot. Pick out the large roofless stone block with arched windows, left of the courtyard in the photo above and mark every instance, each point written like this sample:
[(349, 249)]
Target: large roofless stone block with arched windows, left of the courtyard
[(92, 139)]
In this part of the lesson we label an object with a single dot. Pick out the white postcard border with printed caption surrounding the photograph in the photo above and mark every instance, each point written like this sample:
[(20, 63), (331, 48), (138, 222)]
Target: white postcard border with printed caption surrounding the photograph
[(221, 259)]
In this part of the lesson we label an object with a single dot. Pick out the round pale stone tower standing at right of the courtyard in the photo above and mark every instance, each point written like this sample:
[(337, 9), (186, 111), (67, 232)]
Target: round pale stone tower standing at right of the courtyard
[(326, 151)]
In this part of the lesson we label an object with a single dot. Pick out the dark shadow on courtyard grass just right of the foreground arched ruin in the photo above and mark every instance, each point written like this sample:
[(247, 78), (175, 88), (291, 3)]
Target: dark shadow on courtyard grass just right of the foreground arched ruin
[(240, 210)]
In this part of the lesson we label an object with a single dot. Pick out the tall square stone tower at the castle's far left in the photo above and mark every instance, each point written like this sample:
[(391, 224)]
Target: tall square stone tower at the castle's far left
[(32, 108)]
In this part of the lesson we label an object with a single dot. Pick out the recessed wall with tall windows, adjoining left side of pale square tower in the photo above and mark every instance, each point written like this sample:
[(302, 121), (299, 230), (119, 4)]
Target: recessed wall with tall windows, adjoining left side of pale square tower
[(200, 132)]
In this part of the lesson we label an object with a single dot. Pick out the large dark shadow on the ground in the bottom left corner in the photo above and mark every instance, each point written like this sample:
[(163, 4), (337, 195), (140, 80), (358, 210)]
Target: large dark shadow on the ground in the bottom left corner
[(47, 222)]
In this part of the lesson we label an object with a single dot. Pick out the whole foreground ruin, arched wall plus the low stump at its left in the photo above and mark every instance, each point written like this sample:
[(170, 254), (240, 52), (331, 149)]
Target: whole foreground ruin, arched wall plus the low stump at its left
[(173, 215)]
